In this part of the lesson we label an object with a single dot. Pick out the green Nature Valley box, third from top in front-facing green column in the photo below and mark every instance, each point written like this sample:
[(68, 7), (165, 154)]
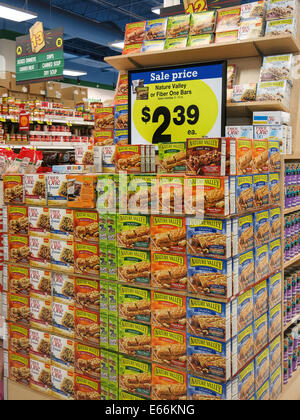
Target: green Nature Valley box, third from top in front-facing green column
[(134, 266)]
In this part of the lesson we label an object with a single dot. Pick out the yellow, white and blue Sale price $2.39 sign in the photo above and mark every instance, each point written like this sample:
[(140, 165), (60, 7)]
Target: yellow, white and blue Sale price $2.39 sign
[(172, 104)]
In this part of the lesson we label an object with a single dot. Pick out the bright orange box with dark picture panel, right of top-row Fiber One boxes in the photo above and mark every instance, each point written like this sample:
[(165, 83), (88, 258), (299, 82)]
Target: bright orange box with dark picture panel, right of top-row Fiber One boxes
[(82, 191)]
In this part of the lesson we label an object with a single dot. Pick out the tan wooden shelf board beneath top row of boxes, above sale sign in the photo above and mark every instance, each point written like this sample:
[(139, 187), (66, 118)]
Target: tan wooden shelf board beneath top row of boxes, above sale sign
[(282, 44)]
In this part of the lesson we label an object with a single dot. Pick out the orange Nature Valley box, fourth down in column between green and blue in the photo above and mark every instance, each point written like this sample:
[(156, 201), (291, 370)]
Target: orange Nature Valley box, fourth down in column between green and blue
[(168, 311)]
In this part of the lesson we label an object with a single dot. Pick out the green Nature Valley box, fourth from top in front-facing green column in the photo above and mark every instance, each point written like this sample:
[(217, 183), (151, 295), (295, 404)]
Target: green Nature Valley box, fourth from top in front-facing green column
[(134, 304)]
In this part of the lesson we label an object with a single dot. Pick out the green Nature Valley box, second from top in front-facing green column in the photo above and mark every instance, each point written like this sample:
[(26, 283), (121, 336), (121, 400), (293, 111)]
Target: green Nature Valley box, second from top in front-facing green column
[(133, 231)]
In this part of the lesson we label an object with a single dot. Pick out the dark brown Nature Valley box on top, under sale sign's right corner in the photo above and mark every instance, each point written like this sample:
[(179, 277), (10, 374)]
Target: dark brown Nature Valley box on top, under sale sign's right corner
[(206, 157)]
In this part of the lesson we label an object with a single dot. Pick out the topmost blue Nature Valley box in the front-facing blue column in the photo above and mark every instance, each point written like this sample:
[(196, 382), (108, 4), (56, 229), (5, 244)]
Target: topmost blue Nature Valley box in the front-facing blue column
[(209, 237)]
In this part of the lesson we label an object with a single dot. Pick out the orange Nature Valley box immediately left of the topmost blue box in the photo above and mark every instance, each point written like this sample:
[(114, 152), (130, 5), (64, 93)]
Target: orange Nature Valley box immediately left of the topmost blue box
[(168, 234)]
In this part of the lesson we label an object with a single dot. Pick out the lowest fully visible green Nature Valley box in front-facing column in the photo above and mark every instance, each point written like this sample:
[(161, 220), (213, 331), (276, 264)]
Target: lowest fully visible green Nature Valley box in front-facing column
[(135, 376)]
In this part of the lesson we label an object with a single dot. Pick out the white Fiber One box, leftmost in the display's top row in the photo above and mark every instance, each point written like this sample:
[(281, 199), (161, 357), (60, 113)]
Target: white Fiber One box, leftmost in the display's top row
[(35, 189)]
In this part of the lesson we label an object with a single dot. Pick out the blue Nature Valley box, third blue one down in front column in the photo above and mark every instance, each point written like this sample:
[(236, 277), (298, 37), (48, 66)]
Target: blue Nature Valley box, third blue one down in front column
[(209, 319)]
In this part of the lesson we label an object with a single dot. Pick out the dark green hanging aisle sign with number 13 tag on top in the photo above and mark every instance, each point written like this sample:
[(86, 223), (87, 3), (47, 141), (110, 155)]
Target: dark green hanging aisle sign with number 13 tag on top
[(40, 55)]
